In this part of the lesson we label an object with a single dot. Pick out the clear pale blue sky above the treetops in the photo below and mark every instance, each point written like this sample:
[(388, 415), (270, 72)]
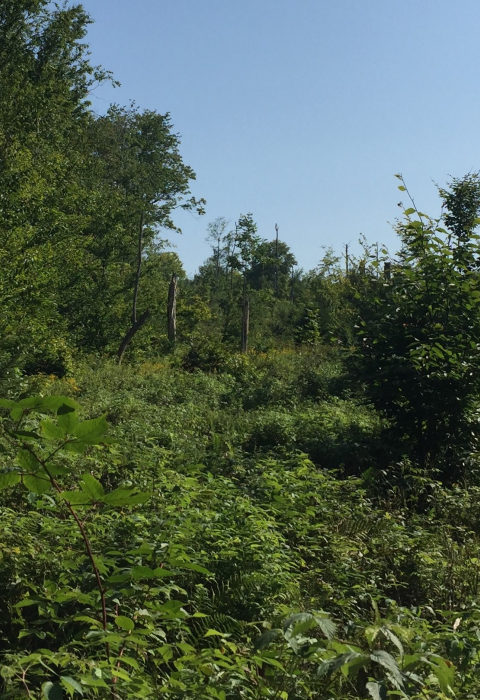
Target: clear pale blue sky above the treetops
[(302, 111)]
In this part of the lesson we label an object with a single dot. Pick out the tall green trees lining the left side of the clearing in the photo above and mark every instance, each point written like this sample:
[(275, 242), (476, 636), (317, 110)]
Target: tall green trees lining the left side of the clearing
[(75, 189)]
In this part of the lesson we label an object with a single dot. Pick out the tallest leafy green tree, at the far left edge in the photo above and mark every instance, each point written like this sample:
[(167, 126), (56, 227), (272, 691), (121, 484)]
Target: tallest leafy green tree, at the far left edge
[(45, 78)]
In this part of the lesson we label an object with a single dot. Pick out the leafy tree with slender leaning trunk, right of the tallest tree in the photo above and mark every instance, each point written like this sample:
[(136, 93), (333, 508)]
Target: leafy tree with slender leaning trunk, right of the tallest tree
[(140, 179)]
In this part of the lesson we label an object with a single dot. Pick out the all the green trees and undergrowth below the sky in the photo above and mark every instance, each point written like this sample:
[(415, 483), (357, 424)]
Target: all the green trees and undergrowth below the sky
[(284, 508)]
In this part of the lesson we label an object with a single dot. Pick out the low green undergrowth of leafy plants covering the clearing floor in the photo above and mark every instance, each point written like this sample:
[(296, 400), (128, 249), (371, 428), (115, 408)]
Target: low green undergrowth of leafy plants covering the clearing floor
[(236, 556)]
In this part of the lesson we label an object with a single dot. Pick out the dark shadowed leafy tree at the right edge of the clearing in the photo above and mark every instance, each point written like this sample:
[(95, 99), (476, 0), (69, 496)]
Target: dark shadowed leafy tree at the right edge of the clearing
[(418, 343)]
